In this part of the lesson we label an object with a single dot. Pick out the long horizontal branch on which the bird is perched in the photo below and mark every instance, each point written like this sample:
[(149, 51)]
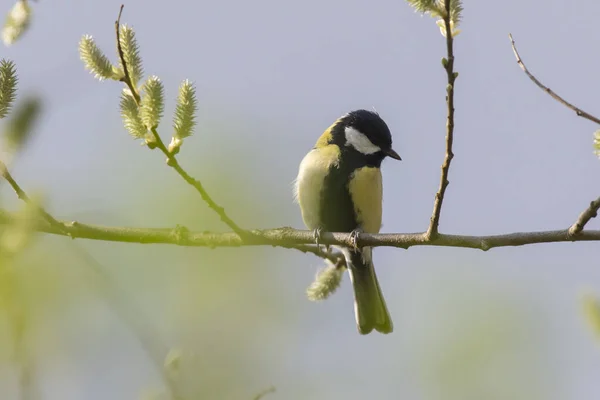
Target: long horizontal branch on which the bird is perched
[(300, 239)]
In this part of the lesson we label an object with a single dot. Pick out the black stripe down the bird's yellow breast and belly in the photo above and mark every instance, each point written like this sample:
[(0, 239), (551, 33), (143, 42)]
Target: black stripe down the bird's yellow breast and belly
[(337, 210)]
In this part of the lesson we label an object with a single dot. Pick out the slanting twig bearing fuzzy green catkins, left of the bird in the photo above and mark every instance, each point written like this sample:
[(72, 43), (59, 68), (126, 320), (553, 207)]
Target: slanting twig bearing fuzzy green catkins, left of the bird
[(171, 159)]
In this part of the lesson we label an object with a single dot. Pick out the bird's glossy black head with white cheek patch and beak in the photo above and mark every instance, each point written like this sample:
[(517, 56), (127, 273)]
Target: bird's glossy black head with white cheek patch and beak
[(365, 132)]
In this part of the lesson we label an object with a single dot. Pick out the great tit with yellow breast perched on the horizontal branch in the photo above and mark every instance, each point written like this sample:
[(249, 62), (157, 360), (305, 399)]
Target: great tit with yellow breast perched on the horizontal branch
[(339, 189)]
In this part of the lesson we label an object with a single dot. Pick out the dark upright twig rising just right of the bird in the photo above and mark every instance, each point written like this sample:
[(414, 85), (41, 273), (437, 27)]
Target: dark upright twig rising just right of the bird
[(448, 64)]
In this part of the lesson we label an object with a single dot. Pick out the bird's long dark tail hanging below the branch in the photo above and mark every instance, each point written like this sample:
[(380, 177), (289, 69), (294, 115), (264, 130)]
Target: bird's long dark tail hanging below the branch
[(369, 305)]
